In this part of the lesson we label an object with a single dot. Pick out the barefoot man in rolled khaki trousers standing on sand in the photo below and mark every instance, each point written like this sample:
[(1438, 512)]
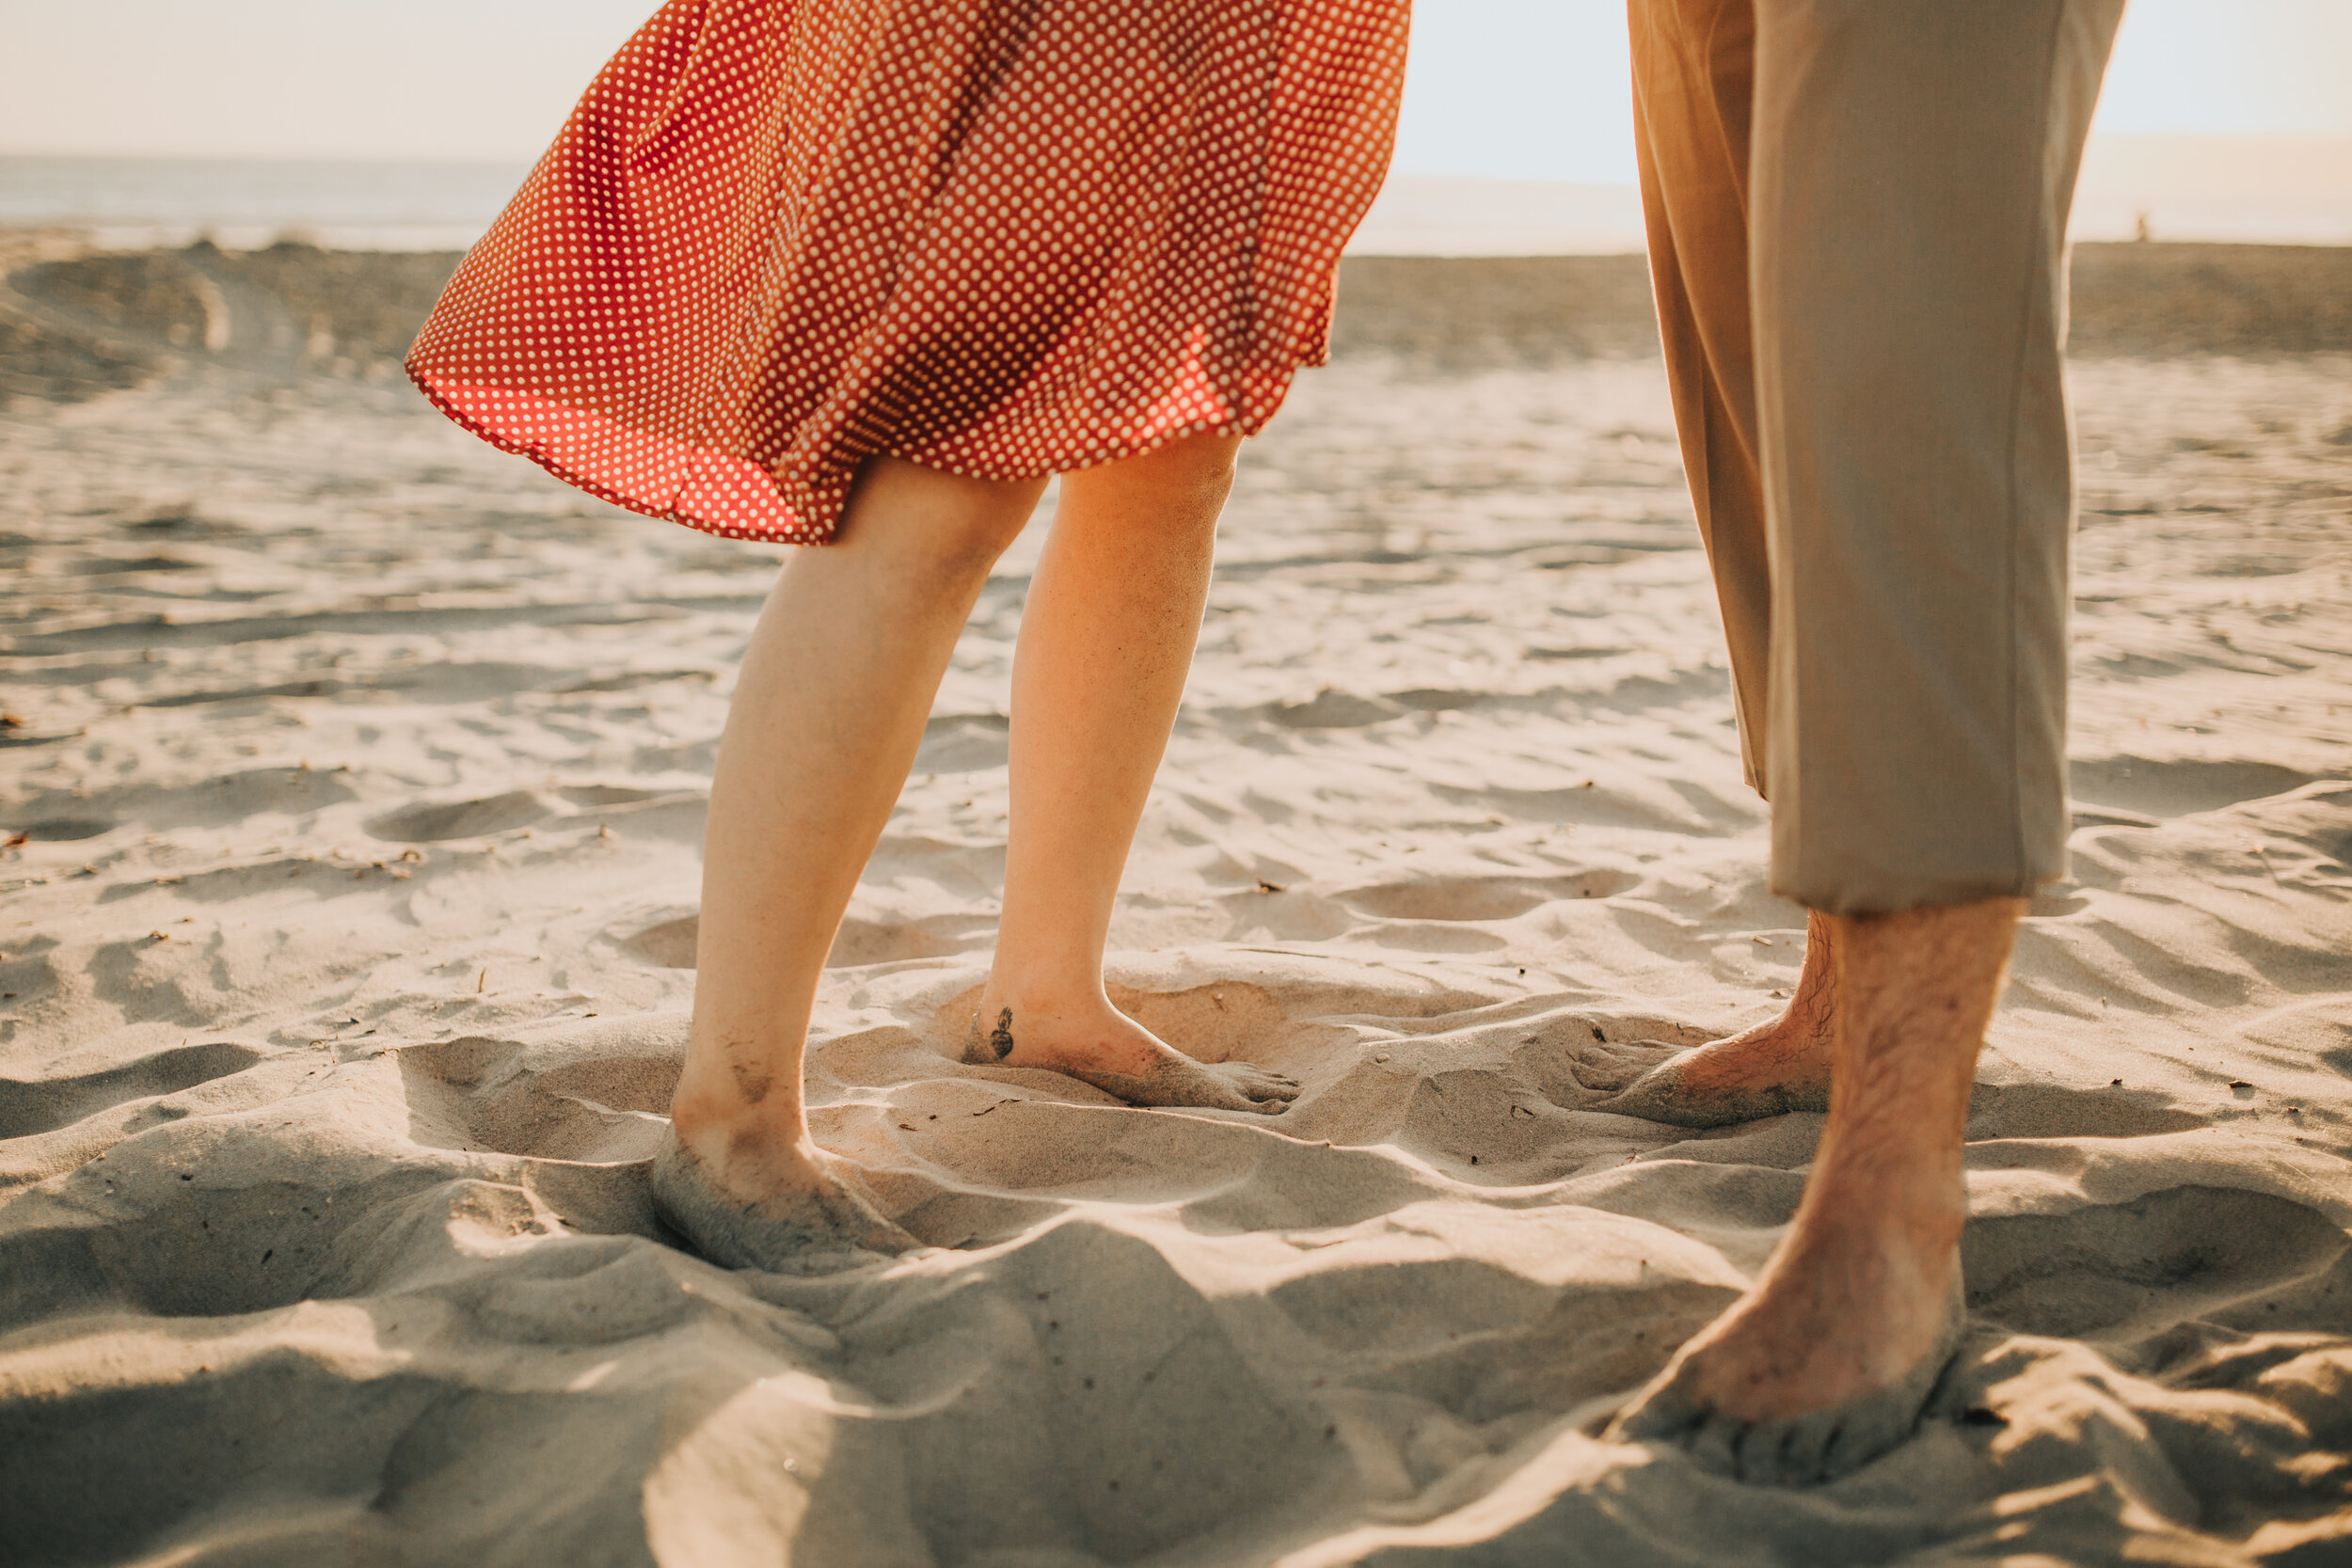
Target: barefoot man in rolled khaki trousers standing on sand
[(1857, 229)]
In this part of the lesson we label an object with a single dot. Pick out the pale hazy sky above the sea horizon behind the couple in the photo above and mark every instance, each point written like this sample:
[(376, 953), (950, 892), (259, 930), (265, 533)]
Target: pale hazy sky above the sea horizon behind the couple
[(1502, 88)]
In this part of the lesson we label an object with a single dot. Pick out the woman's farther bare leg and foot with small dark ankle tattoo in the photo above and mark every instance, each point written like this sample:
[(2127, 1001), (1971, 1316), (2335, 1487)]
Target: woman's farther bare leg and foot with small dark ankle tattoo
[(1107, 643)]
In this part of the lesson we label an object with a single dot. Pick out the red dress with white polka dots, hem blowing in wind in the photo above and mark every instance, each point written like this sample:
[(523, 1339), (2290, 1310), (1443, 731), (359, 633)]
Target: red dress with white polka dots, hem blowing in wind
[(1001, 239)]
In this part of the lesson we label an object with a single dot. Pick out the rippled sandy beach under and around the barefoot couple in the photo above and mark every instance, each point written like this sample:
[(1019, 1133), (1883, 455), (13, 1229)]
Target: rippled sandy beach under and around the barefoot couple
[(354, 782)]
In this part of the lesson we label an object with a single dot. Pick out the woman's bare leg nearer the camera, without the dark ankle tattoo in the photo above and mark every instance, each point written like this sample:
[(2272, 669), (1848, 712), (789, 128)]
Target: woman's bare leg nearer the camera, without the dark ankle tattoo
[(824, 725)]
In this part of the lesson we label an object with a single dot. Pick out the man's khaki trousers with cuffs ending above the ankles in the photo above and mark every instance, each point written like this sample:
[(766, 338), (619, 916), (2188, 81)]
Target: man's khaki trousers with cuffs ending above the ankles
[(1857, 229)]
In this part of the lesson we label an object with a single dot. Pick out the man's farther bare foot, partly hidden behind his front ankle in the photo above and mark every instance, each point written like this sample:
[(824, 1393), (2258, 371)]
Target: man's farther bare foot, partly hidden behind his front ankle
[(1770, 1071)]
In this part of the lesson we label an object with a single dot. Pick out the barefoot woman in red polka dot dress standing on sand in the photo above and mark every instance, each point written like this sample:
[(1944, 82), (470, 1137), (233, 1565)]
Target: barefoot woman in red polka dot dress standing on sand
[(867, 279)]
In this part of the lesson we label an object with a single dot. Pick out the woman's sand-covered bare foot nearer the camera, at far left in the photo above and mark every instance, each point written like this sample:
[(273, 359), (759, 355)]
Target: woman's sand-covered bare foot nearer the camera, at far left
[(803, 1212)]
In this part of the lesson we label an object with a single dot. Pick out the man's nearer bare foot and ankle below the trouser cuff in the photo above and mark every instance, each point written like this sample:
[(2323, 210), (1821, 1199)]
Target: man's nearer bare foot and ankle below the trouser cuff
[(1838, 1348)]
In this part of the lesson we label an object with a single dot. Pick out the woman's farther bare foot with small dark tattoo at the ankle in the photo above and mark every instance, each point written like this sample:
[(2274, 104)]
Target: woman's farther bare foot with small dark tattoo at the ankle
[(1104, 1047)]
